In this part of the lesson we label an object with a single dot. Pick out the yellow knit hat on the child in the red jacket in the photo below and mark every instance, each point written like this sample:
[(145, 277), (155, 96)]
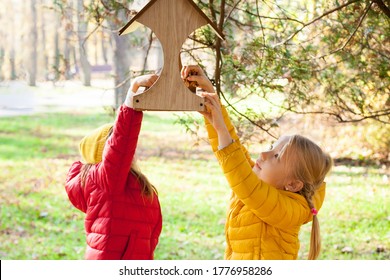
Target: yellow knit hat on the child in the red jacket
[(91, 146)]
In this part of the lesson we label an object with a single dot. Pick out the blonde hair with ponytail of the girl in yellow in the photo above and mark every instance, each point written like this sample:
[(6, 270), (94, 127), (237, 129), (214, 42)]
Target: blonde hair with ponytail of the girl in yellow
[(311, 165)]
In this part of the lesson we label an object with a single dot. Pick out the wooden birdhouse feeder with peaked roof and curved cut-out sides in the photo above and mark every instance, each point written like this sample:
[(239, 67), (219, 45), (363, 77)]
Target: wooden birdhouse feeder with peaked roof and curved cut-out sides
[(172, 21)]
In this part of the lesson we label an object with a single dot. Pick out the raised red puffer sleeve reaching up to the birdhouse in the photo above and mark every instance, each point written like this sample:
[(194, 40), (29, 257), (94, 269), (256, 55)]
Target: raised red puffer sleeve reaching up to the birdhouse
[(119, 150)]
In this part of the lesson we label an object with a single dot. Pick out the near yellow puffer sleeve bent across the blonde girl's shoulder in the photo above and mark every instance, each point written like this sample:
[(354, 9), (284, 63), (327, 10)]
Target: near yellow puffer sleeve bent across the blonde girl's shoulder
[(279, 208)]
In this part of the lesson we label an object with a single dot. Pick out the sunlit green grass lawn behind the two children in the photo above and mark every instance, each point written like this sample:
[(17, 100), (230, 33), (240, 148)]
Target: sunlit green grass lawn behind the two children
[(38, 222)]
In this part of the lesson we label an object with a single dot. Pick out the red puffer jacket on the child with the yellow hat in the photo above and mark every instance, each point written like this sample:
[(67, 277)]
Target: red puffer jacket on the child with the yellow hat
[(120, 223)]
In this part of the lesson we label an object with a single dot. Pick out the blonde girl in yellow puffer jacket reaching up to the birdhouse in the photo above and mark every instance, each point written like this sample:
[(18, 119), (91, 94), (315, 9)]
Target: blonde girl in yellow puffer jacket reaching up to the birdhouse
[(271, 197)]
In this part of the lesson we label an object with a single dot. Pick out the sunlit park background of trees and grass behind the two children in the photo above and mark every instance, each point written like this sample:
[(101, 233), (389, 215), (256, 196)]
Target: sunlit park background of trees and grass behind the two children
[(318, 68)]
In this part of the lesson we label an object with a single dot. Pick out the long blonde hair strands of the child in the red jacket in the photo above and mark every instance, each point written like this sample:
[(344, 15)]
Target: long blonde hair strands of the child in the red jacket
[(147, 188)]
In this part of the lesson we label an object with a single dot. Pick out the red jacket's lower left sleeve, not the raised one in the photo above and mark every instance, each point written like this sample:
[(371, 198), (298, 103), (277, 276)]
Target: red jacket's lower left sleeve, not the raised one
[(74, 189)]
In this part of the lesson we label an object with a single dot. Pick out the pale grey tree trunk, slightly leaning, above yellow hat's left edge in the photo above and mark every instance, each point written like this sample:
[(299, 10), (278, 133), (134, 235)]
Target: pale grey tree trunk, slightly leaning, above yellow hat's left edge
[(85, 67)]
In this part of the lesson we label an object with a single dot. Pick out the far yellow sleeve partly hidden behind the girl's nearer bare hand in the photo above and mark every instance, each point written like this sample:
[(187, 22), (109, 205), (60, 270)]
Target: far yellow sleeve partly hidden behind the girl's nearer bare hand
[(213, 136)]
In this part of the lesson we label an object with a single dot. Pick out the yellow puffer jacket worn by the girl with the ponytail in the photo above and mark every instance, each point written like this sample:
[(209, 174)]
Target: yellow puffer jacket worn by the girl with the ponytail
[(262, 221)]
